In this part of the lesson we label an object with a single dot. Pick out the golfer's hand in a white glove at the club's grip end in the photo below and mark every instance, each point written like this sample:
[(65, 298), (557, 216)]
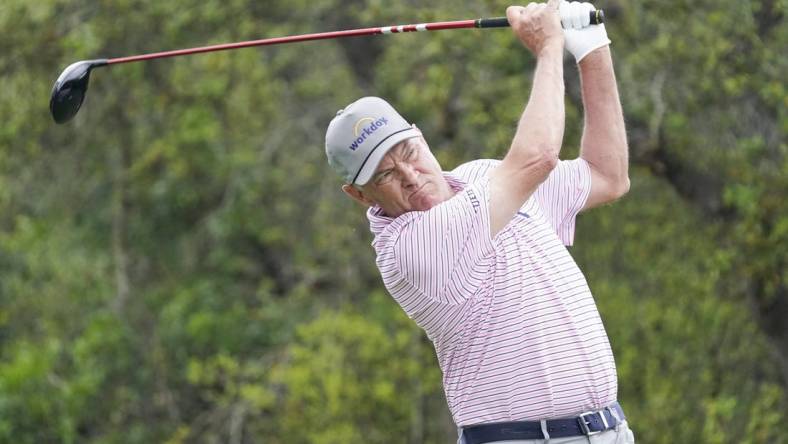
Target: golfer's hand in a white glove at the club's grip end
[(580, 37)]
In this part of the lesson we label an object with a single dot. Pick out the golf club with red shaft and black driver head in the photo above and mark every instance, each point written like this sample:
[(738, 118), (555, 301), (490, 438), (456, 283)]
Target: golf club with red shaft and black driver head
[(71, 86)]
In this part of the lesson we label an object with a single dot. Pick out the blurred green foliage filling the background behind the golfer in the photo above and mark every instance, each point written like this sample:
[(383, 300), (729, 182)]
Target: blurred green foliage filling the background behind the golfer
[(179, 265)]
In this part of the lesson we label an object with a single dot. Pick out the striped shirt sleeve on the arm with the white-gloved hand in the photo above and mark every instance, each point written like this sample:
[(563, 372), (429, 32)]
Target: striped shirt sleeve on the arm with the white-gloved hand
[(563, 195)]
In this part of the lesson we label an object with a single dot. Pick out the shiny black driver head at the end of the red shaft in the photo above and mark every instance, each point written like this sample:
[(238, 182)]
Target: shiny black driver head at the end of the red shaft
[(70, 89)]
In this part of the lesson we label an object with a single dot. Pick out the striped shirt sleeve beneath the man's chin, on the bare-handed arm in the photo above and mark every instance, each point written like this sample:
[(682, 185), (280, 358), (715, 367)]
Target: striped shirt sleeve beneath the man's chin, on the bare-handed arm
[(441, 255)]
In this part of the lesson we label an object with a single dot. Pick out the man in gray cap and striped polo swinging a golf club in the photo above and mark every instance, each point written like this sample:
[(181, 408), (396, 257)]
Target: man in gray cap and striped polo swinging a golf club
[(477, 256)]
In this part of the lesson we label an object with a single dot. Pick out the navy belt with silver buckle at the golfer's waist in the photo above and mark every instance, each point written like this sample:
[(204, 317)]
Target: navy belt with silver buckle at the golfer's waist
[(586, 424)]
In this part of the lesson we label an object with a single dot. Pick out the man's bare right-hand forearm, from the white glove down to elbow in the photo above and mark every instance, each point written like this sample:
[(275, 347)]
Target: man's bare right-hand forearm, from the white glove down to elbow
[(604, 143)]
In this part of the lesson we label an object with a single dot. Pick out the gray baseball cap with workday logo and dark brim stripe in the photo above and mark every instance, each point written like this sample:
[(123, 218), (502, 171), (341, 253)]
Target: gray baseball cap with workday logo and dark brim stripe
[(360, 135)]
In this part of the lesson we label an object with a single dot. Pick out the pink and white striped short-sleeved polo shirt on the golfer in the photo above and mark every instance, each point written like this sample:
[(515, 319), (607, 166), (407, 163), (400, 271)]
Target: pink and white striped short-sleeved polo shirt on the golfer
[(515, 328)]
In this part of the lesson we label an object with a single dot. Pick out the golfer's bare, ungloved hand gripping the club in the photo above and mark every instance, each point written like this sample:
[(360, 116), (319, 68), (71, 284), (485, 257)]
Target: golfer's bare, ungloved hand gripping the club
[(538, 25)]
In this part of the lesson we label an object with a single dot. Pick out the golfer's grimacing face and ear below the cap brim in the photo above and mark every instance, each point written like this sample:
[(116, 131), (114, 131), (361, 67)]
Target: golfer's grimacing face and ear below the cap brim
[(408, 178)]
